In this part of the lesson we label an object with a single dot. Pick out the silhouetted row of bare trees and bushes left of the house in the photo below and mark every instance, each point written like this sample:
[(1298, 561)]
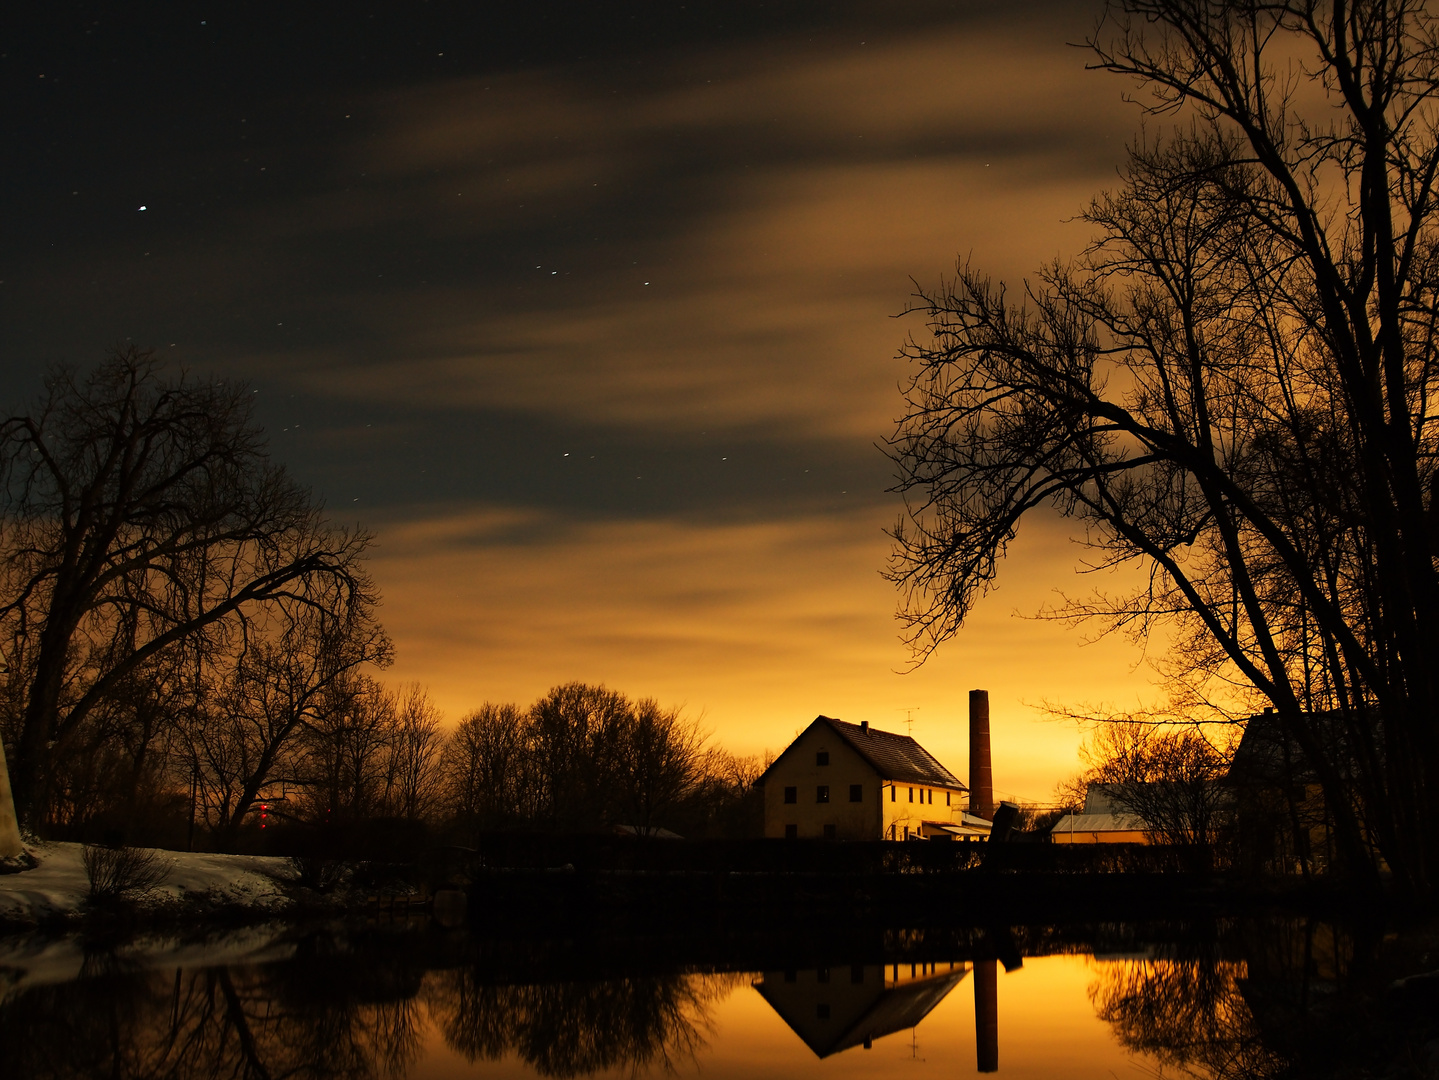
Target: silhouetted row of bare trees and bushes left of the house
[(191, 655)]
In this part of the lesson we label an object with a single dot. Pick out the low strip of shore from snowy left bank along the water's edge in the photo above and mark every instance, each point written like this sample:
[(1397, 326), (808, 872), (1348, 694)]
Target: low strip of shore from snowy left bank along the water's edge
[(214, 892)]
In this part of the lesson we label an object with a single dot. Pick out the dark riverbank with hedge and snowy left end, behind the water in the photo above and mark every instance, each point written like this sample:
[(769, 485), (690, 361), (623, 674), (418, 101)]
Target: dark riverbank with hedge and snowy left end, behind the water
[(683, 888)]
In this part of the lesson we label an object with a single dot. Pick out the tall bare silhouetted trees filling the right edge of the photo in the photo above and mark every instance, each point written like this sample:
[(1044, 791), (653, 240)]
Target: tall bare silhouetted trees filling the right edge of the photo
[(1233, 389)]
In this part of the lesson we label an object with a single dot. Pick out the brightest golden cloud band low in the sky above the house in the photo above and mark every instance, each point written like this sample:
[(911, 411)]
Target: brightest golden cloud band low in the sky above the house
[(758, 626)]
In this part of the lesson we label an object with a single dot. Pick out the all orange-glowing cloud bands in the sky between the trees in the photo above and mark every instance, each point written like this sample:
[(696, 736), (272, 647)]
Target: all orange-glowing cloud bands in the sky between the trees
[(769, 313)]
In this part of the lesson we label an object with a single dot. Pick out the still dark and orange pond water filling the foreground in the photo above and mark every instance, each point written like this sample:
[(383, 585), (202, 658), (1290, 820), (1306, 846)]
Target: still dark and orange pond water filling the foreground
[(421, 1005)]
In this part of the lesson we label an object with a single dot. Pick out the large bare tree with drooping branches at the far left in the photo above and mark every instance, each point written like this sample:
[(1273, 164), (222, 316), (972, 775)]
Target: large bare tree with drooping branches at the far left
[(140, 511)]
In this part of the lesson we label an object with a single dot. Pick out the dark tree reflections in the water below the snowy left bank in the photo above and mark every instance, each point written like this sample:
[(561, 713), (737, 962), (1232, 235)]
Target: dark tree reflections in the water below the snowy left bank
[(209, 1025)]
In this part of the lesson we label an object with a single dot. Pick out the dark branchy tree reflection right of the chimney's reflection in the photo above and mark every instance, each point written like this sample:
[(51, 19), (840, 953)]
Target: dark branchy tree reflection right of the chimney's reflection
[(1186, 1013)]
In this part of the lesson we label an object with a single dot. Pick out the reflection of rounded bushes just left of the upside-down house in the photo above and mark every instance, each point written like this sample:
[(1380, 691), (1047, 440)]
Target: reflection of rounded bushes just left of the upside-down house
[(571, 1029)]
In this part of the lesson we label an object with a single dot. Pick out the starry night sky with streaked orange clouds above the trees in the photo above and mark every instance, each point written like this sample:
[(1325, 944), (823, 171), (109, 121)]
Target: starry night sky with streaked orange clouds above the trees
[(589, 314)]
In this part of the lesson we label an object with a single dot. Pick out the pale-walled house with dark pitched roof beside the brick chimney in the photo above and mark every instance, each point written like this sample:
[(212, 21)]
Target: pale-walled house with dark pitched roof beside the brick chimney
[(850, 782)]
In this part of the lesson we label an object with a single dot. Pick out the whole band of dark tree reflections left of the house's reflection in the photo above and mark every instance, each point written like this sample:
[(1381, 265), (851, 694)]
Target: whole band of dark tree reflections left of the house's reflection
[(330, 1016)]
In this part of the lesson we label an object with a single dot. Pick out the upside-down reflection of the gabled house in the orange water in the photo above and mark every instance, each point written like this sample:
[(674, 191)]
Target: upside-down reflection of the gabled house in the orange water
[(837, 1009)]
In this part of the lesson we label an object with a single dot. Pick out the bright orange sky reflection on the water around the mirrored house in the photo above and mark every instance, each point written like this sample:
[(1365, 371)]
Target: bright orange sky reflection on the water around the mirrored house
[(1047, 1029)]
